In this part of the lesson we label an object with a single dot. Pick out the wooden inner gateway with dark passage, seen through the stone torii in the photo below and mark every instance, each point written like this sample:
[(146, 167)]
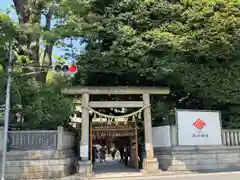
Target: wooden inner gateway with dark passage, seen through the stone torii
[(114, 135)]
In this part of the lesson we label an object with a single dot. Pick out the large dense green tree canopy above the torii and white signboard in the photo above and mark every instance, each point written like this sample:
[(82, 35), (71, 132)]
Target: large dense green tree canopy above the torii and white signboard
[(190, 45)]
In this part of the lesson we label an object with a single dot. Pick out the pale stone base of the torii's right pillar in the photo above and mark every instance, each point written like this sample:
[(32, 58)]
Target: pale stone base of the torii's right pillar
[(150, 165)]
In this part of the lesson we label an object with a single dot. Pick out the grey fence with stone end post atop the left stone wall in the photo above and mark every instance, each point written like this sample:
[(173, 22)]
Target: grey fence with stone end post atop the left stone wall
[(40, 140)]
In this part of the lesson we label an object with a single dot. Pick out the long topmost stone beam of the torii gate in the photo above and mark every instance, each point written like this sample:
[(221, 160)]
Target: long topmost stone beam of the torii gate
[(118, 90)]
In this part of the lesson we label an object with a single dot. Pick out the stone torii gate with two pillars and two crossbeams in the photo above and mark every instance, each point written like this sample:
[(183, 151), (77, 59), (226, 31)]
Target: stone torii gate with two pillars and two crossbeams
[(150, 163)]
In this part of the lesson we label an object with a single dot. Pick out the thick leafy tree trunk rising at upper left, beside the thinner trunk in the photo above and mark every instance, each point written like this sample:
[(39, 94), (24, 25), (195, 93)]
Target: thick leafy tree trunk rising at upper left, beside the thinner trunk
[(29, 16)]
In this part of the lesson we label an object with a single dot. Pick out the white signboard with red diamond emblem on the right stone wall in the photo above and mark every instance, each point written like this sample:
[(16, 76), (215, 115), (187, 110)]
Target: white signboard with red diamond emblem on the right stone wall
[(196, 128)]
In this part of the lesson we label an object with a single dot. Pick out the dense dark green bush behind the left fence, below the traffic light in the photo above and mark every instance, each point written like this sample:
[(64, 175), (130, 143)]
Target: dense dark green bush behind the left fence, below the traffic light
[(43, 106)]
